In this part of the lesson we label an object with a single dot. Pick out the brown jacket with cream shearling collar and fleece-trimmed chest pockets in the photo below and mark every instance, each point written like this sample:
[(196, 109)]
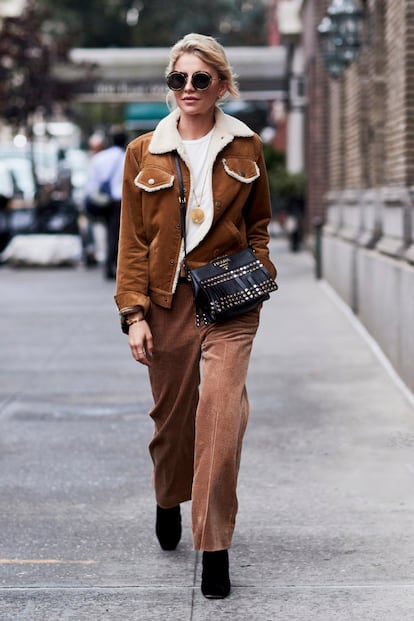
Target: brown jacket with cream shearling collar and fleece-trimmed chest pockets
[(150, 244)]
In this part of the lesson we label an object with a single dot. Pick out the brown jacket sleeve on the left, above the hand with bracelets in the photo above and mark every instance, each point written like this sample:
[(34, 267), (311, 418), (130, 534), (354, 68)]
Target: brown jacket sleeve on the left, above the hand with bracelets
[(132, 266)]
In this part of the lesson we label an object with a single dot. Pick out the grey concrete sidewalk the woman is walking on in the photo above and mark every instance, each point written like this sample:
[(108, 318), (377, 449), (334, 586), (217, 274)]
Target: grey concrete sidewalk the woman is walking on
[(325, 528)]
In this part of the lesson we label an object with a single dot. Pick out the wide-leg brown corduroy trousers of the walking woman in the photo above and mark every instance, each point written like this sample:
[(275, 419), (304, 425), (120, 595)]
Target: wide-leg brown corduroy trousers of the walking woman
[(200, 414)]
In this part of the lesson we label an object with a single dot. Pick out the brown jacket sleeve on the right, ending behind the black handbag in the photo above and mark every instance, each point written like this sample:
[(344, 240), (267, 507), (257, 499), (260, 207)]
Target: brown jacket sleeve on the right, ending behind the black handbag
[(258, 215)]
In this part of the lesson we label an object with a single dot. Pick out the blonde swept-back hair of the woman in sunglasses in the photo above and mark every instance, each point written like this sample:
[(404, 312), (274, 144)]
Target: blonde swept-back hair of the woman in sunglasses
[(211, 52)]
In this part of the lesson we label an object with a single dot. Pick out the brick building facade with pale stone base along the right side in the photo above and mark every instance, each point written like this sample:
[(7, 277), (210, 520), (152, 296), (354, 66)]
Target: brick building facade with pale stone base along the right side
[(360, 166)]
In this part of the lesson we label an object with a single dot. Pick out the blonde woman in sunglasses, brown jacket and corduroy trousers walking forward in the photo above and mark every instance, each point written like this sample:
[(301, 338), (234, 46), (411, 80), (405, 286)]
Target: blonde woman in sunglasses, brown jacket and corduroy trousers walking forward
[(198, 427)]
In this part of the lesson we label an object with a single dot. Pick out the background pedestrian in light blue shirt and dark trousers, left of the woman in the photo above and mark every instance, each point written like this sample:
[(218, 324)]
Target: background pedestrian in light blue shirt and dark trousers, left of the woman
[(106, 167)]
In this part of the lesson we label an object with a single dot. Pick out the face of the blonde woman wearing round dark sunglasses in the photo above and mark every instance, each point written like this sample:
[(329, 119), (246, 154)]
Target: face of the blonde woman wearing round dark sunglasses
[(194, 102)]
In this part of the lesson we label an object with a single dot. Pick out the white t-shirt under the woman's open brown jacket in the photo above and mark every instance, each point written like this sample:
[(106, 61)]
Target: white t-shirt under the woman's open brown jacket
[(201, 193)]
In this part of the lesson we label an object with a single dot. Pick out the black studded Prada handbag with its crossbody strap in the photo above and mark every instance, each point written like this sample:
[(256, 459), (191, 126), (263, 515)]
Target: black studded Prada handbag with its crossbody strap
[(229, 285)]
